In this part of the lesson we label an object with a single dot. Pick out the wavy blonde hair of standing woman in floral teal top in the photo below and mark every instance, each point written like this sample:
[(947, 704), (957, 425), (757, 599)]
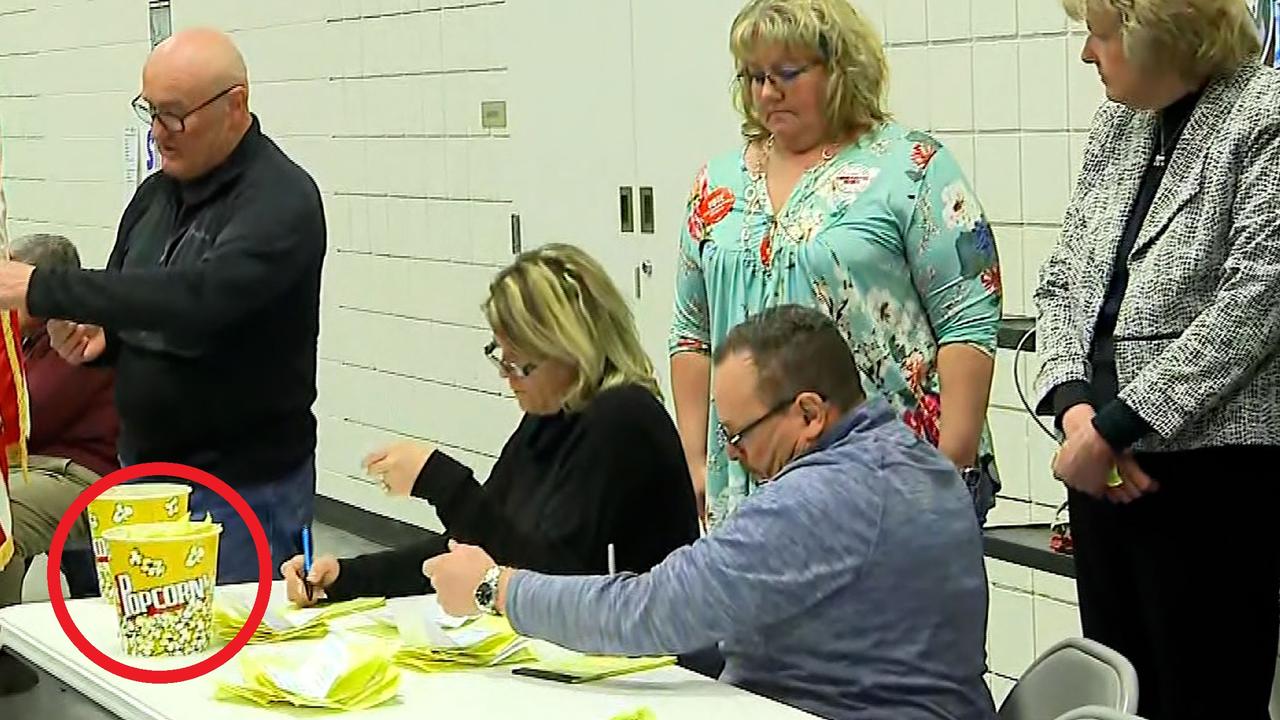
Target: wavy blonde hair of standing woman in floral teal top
[(833, 30)]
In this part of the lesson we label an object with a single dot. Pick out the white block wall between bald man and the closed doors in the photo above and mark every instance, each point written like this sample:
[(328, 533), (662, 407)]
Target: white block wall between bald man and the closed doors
[(418, 215)]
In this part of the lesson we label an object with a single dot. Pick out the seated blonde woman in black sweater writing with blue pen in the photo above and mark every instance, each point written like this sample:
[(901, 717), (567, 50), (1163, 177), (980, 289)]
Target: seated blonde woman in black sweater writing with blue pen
[(596, 461)]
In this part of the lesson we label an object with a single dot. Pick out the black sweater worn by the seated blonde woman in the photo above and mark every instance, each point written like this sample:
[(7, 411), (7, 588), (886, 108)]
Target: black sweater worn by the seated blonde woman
[(614, 458)]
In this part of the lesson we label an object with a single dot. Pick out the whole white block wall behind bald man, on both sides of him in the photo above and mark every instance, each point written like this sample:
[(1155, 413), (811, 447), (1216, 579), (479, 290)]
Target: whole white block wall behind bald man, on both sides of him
[(387, 119)]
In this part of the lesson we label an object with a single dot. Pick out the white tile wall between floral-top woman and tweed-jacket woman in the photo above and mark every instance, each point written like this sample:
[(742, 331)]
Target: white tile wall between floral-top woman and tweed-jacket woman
[(1032, 102)]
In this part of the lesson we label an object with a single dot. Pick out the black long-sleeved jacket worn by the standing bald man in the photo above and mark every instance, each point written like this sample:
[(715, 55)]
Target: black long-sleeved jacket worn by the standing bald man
[(212, 303)]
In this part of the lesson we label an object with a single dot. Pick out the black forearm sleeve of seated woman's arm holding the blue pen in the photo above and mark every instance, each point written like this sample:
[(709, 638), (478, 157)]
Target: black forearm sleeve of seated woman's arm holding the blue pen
[(391, 573)]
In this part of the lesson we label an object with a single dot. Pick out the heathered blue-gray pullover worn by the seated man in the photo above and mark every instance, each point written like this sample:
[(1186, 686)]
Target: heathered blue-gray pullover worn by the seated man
[(852, 586)]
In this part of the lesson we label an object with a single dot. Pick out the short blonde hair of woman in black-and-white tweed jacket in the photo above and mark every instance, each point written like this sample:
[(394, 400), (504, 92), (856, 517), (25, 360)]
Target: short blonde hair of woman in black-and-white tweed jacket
[(1200, 39)]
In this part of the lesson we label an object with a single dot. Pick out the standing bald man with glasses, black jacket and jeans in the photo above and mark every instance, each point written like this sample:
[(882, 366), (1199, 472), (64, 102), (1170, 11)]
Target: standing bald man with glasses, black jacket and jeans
[(209, 306)]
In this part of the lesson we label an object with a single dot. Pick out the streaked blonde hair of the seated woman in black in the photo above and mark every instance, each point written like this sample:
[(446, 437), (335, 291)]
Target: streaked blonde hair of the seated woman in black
[(557, 303)]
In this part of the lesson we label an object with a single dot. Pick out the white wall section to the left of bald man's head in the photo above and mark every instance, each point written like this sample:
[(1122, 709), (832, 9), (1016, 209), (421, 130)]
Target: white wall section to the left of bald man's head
[(63, 115)]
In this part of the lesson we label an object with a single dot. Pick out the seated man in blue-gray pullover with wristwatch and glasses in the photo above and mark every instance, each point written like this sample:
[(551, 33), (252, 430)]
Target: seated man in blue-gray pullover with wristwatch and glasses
[(851, 586)]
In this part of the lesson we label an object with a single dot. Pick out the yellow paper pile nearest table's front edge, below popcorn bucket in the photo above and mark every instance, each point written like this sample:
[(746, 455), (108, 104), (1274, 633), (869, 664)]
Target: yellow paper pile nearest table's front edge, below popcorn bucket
[(335, 675)]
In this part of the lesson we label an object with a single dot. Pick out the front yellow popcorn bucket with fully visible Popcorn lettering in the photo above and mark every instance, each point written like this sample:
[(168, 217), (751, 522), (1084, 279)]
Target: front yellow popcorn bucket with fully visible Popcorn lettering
[(164, 577)]
